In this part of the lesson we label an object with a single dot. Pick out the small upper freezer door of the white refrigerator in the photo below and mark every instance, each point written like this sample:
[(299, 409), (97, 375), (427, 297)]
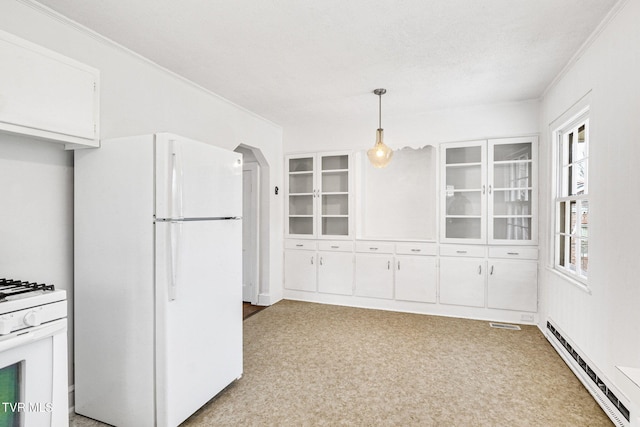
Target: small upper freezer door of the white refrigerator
[(196, 180)]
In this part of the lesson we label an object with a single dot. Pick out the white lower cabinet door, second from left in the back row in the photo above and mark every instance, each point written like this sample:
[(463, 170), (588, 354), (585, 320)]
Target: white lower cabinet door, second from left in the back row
[(335, 273)]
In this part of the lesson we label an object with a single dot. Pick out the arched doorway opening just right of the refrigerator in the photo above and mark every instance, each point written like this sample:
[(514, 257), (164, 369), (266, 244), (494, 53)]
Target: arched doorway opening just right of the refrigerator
[(255, 226)]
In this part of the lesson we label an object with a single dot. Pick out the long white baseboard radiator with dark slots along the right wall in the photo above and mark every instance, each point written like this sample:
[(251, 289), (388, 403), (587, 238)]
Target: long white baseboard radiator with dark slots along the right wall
[(612, 402)]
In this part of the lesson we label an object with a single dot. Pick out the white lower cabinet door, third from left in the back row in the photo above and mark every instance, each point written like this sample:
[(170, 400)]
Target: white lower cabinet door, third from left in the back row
[(374, 276)]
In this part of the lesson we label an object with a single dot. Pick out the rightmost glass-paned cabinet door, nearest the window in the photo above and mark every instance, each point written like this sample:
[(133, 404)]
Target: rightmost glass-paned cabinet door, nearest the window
[(512, 191)]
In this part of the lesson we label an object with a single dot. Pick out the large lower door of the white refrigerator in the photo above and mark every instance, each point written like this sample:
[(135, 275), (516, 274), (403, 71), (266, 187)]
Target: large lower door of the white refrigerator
[(199, 333)]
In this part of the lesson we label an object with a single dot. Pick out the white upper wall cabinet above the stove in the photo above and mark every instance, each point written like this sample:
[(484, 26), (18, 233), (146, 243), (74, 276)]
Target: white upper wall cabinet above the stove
[(47, 95)]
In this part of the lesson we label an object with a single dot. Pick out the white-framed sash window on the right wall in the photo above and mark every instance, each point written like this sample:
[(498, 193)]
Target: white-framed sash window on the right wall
[(563, 165)]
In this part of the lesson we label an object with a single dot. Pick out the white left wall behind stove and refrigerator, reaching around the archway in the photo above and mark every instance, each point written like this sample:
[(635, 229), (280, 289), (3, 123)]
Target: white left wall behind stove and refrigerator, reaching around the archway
[(136, 98)]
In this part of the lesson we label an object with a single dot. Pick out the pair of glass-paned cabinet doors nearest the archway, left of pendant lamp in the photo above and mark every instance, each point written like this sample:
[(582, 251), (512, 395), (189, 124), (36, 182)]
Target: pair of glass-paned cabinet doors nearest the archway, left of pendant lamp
[(319, 195)]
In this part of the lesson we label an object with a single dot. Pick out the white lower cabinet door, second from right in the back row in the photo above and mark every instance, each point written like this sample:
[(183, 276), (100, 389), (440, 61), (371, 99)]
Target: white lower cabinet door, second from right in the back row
[(462, 281)]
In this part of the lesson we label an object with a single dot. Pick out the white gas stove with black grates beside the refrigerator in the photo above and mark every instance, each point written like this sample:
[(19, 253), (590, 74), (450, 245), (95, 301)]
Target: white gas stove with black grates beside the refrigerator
[(33, 354)]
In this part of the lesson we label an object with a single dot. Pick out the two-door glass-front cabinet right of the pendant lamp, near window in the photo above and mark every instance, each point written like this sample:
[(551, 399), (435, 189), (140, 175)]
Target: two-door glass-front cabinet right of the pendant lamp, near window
[(488, 191)]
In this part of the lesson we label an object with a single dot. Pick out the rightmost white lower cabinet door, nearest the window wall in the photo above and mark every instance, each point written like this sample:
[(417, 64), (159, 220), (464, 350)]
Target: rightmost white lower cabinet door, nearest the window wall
[(513, 285)]
